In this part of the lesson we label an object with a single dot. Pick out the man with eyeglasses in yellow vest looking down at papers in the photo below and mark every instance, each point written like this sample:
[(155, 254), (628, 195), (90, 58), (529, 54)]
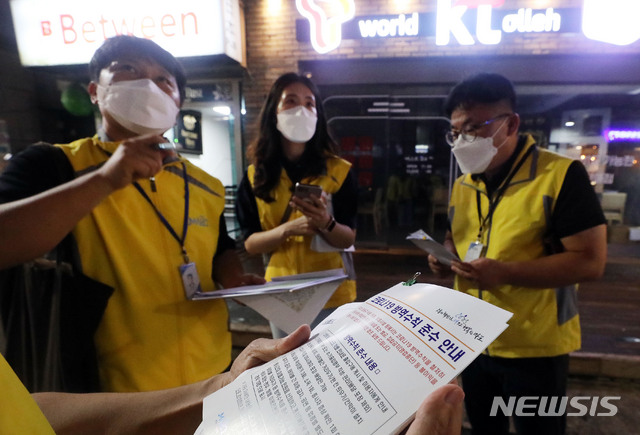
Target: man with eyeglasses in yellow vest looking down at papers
[(529, 227)]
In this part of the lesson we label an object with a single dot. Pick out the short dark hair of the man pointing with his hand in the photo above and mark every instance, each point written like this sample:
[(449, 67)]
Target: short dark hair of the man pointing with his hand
[(114, 48)]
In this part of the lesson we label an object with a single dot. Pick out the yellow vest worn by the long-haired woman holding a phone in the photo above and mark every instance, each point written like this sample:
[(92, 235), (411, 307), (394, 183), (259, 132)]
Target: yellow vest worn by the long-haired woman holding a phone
[(295, 255)]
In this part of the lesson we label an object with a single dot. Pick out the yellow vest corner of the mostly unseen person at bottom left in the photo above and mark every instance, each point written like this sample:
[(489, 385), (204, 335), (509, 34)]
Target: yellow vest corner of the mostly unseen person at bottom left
[(19, 413)]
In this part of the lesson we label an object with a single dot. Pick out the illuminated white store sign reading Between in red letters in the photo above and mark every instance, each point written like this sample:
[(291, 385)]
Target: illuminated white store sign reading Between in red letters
[(65, 32)]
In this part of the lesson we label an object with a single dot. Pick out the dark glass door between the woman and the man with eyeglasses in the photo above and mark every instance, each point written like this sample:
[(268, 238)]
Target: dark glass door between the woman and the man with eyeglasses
[(396, 145)]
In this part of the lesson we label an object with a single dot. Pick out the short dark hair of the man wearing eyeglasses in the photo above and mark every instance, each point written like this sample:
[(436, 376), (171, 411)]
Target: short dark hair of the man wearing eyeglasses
[(483, 88)]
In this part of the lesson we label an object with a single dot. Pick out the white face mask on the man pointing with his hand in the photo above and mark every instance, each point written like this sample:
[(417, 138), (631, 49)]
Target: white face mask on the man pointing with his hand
[(139, 106)]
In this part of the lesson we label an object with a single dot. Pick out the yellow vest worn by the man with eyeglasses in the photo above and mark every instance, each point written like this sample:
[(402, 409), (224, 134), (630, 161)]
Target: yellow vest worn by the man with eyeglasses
[(545, 322)]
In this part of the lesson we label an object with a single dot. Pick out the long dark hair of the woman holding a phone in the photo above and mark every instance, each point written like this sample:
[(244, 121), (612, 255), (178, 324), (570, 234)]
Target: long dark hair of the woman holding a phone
[(266, 152)]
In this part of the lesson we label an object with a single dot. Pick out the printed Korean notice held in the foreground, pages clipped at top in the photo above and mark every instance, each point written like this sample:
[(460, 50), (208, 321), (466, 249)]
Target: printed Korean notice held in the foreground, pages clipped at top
[(365, 369)]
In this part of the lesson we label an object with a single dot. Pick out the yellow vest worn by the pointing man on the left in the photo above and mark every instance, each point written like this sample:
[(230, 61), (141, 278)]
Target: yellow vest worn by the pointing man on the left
[(151, 337)]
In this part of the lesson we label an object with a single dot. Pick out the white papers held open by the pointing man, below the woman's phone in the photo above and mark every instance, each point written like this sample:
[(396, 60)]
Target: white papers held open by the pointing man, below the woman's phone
[(287, 301)]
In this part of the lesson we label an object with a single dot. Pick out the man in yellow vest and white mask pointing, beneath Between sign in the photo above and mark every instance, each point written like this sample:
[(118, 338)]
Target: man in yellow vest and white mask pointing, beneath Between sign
[(143, 218)]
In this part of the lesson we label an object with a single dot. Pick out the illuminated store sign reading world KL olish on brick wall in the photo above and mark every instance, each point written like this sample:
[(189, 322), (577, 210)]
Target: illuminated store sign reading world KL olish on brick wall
[(467, 22)]
